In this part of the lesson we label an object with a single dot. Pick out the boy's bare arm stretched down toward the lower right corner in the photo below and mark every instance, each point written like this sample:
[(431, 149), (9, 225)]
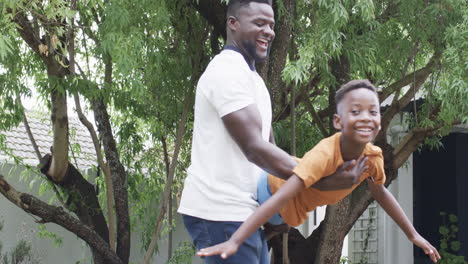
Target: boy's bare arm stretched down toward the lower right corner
[(393, 209)]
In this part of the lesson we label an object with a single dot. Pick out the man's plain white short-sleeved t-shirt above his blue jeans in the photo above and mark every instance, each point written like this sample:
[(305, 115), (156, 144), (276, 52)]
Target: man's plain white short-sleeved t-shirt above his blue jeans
[(221, 183)]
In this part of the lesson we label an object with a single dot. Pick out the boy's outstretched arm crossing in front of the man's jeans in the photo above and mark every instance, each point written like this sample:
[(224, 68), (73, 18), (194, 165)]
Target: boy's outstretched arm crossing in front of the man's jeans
[(292, 186)]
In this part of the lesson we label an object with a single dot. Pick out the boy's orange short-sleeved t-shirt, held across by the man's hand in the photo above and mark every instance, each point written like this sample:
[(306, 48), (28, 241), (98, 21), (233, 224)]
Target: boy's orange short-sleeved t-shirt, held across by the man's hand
[(323, 160)]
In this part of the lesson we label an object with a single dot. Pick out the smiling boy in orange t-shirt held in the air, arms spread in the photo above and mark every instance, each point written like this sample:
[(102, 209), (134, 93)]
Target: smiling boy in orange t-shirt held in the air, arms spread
[(358, 119)]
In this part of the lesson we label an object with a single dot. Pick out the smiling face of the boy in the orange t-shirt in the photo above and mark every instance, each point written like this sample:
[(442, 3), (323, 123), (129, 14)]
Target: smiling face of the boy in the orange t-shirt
[(358, 116)]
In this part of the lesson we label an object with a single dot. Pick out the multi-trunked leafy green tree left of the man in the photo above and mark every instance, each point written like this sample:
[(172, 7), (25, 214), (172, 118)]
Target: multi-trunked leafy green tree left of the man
[(134, 66)]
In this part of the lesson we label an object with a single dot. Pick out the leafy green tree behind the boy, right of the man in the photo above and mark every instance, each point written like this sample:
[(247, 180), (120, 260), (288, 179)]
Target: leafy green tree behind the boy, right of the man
[(408, 48)]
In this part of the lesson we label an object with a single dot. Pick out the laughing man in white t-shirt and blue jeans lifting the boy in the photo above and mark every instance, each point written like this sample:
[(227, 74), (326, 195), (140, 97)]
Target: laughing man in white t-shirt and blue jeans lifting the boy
[(232, 138)]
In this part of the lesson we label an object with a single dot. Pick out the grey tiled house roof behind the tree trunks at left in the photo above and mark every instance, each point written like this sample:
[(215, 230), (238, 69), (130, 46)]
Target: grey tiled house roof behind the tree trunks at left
[(81, 154)]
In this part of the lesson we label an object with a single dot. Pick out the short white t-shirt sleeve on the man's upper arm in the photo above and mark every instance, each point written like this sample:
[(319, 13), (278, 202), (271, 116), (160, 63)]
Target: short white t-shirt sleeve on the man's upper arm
[(228, 91)]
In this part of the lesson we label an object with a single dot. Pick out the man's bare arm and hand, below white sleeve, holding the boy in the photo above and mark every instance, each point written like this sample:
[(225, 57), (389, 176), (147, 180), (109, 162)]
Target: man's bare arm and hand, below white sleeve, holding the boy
[(245, 127)]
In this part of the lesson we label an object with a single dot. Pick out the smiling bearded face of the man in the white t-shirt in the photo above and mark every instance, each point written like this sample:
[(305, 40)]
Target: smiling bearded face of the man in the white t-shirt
[(253, 30)]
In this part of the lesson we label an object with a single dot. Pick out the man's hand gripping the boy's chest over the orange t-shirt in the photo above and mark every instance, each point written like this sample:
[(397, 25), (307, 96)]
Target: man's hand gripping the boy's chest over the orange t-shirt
[(345, 176)]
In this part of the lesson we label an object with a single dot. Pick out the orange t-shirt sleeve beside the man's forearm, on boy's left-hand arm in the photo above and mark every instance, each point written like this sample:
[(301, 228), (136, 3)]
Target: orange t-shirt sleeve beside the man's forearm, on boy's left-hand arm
[(313, 166)]
